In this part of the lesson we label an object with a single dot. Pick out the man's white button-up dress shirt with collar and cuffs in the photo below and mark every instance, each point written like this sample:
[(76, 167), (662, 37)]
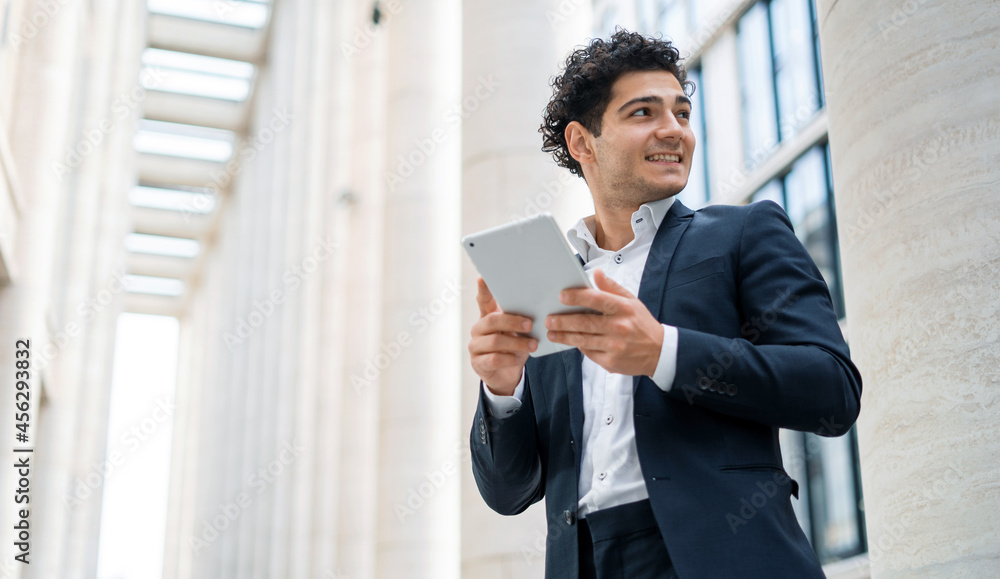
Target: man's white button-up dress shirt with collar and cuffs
[(609, 472)]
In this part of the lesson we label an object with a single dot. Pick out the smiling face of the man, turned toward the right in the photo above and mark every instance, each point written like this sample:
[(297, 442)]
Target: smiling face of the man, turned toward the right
[(646, 145)]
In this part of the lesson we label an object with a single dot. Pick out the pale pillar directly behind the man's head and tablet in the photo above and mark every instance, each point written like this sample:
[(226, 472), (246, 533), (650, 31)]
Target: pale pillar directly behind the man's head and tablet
[(506, 176)]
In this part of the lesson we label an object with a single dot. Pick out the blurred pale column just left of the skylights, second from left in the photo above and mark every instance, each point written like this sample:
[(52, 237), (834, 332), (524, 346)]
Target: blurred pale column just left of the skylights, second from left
[(96, 264)]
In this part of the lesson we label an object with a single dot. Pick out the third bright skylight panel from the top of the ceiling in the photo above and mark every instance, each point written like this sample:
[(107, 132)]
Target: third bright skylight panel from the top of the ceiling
[(187, 141)]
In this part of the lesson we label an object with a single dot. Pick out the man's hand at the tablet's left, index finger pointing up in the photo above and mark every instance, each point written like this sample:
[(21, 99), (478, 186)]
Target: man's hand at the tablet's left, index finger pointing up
[(498, 352)]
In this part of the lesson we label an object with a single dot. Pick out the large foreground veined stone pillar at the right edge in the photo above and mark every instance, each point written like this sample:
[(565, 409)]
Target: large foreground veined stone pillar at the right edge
[(915, 138)]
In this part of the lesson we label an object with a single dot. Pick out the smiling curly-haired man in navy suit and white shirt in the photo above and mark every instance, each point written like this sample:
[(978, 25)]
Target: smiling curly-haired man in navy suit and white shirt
[(650, 437)]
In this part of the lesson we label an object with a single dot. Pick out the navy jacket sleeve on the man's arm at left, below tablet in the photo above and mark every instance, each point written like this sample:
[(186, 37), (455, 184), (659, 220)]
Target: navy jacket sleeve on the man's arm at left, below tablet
[(505, 457)]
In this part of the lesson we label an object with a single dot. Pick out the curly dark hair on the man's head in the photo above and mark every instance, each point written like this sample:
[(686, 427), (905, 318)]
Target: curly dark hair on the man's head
[(582, 91)]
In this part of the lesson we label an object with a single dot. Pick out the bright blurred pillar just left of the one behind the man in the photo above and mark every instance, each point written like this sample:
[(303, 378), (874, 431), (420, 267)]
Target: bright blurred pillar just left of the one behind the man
[(420, 348)]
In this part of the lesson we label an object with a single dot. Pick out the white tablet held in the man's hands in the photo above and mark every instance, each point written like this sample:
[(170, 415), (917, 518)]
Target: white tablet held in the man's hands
[(526, 264)]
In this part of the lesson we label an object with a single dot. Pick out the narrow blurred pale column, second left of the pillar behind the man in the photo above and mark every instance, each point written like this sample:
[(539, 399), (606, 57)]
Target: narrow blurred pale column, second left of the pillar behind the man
[(329, 178)]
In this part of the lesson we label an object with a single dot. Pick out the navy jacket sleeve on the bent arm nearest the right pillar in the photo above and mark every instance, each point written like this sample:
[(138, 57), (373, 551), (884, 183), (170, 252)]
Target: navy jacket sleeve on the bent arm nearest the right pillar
[(790, 367)]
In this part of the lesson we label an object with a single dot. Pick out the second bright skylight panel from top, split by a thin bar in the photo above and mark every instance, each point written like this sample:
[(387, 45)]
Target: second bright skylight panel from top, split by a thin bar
[(197, 75)]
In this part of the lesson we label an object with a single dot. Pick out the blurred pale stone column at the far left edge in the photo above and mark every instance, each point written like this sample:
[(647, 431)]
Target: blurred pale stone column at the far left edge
[(41, 114)]
